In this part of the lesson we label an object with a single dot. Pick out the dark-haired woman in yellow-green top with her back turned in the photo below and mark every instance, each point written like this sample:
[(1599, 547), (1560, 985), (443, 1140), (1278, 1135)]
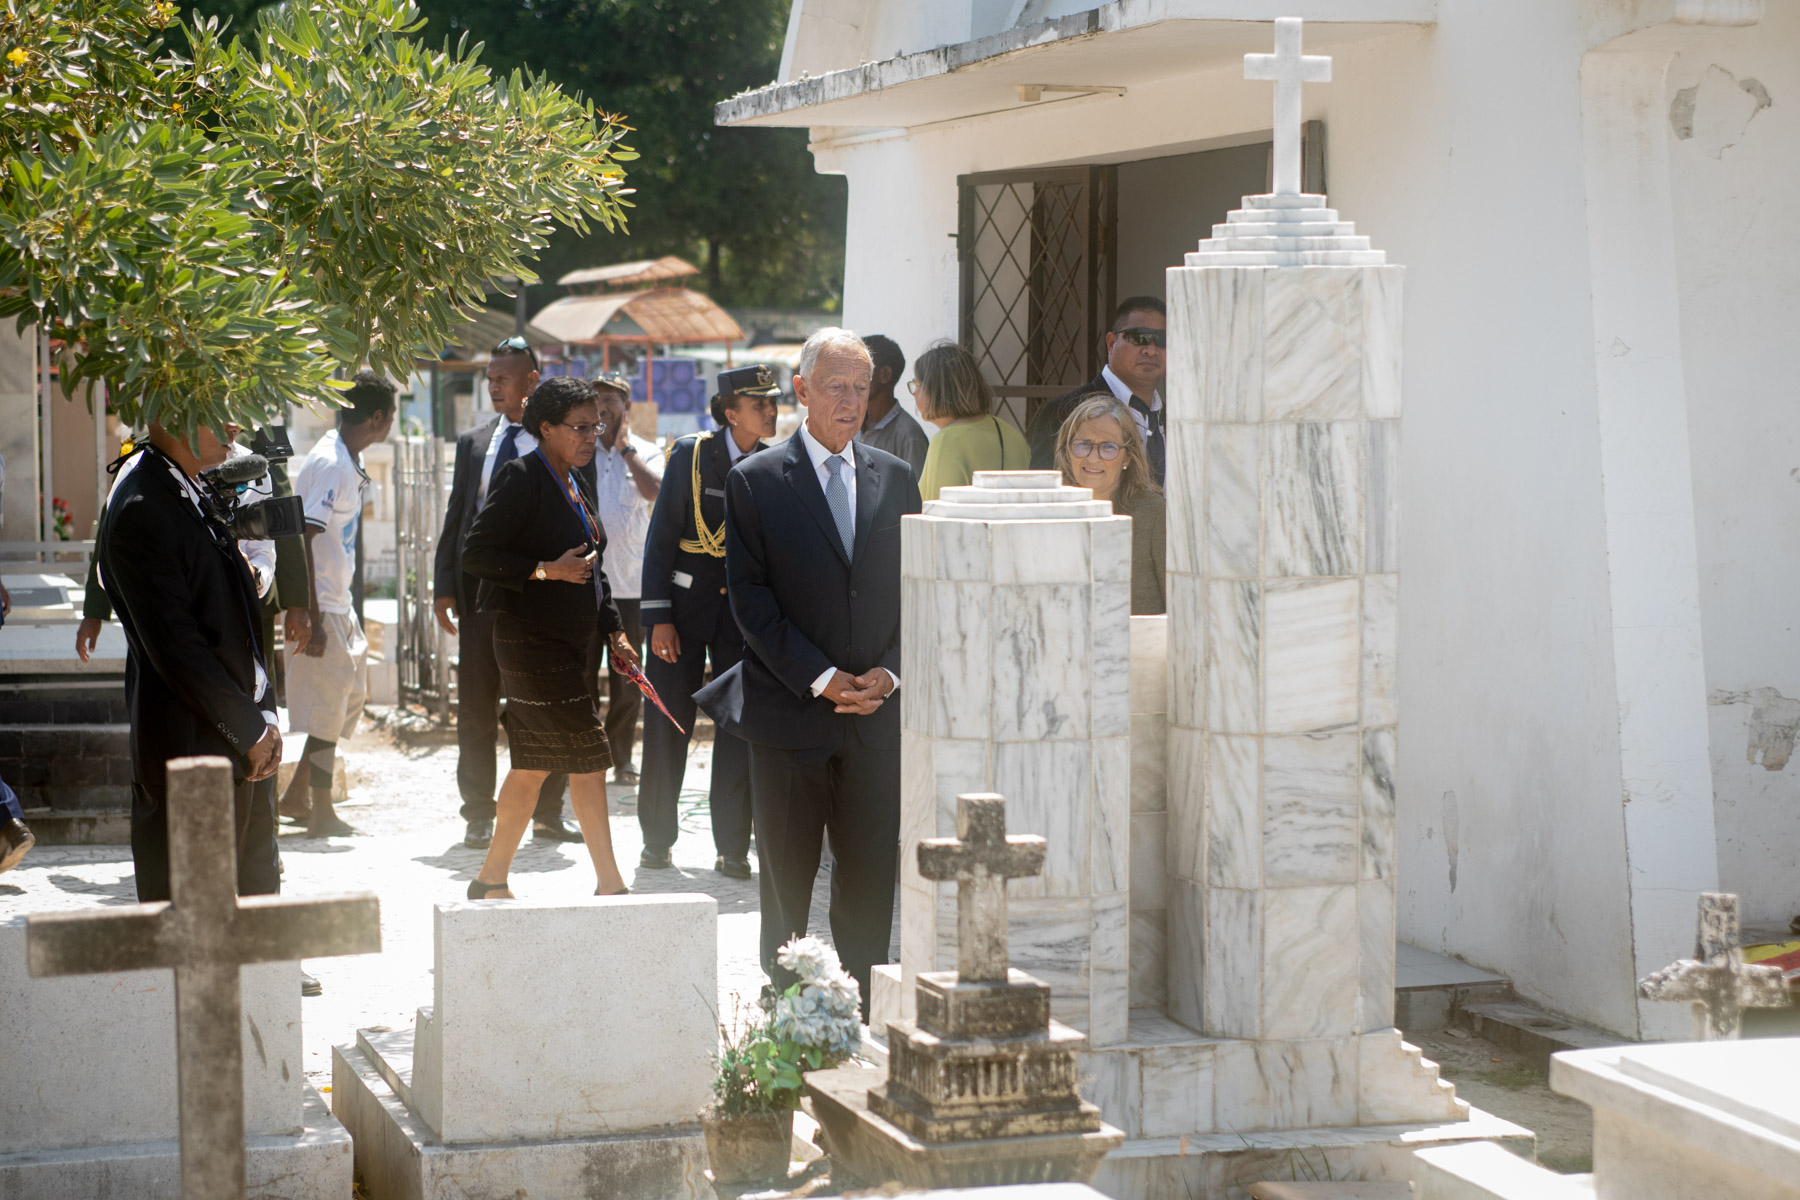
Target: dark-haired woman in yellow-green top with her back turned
[(951, 395)]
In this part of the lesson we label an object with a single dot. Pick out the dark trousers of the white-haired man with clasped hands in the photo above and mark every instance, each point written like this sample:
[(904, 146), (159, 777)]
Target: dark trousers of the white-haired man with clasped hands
[(854, 798)]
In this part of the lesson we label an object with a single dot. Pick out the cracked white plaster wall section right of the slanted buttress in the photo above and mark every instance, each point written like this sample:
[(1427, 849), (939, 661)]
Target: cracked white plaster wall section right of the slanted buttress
[(1734, 127)]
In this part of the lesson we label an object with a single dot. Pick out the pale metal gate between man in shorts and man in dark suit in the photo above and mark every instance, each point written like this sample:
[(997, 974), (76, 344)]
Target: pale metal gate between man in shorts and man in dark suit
[(420, 494)]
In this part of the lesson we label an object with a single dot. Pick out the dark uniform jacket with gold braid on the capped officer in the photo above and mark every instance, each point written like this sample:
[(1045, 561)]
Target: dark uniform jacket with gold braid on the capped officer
[(697, 609)]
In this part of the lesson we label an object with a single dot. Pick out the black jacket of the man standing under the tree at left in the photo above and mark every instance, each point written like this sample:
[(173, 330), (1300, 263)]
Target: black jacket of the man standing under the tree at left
[(192, 622)]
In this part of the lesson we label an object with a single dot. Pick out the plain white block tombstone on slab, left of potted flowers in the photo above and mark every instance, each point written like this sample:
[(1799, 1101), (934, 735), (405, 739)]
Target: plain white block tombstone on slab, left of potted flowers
[(564, 1043)]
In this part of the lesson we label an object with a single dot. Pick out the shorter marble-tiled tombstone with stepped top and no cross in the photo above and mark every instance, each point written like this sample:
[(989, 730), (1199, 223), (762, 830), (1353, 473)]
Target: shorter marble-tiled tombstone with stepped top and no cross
[(1016, 596)]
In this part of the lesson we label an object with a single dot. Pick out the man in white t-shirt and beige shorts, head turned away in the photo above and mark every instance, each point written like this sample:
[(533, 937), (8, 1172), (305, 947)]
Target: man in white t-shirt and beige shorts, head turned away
[(328, 679)]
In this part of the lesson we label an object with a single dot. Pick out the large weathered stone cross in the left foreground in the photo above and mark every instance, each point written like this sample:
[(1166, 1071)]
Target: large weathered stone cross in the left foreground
[(204, 935)]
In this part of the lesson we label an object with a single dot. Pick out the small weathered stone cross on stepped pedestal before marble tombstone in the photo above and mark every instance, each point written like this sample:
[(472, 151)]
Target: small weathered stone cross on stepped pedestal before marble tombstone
[(982, 859)]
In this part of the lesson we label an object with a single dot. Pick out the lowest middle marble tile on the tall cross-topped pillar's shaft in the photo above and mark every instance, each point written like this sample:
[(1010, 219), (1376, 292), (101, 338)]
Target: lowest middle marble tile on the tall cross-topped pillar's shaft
[(1309, 962)]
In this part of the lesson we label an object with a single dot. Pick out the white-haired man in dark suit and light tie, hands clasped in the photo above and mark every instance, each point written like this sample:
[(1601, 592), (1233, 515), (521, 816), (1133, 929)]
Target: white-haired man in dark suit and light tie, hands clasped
[(813, 562)]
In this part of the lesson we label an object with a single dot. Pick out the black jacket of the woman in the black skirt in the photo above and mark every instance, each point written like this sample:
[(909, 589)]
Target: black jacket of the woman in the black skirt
[(525, 523)]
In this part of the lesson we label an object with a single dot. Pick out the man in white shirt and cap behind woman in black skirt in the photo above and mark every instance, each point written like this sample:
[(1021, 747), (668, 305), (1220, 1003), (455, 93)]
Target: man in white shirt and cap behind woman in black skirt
[(627, 478)]
